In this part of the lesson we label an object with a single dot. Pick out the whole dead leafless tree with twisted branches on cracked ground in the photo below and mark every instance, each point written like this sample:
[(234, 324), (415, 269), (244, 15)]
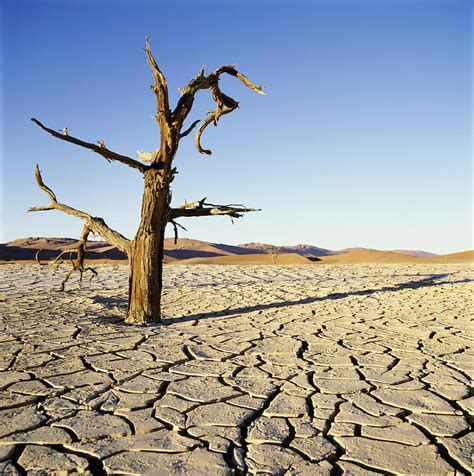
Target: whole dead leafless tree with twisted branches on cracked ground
[(145, 251)]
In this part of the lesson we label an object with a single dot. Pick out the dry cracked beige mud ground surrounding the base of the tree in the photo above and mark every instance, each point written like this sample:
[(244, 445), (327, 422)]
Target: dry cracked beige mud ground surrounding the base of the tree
[(360, 369)]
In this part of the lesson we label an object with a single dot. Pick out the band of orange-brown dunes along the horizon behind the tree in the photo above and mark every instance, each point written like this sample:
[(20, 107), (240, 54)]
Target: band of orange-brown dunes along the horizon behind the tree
[(191, 251)]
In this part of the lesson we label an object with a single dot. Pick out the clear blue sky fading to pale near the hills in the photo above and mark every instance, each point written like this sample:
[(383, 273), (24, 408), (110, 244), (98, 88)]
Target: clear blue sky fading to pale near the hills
[(363, 139)]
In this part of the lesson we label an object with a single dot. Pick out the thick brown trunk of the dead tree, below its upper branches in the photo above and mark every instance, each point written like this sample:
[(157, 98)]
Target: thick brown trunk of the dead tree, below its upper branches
[(146, 254)]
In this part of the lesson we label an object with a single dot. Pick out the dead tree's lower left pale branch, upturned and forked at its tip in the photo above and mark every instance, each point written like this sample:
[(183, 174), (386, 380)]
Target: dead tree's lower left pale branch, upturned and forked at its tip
[(96, 224)]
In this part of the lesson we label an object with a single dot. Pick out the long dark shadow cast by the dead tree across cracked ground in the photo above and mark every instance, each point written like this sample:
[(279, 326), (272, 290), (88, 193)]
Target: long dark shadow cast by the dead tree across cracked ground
[(431, 280)]
